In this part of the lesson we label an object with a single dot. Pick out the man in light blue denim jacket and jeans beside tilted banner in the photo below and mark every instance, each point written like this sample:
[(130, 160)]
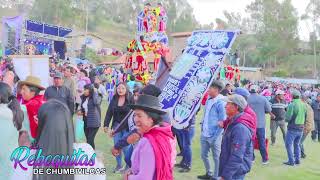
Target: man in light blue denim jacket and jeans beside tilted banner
[(211, 132)]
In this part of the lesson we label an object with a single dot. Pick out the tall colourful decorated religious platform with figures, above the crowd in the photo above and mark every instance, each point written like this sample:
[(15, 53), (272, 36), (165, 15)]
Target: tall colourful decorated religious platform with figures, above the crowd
[(151, 42)]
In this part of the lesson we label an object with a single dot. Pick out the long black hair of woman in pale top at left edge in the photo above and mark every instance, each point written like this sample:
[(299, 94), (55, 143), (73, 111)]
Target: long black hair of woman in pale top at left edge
[(6, 97)]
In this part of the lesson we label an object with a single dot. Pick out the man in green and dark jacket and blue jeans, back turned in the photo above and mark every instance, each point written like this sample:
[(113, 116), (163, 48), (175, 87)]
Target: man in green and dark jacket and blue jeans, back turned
[(295, 116)]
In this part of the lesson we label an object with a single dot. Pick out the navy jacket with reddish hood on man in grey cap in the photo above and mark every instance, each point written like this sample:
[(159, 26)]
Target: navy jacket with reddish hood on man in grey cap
[(236, 149)]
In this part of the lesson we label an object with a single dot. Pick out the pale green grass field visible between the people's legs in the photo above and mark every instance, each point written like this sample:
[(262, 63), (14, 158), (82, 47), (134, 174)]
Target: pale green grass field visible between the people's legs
[(308, 170)]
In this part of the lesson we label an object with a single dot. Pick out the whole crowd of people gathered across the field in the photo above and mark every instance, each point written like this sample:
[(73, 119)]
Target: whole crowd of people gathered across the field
[(233, 123)]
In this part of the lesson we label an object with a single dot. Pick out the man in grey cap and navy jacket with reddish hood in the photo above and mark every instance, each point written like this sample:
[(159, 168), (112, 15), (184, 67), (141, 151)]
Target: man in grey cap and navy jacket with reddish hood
[(237, 145)]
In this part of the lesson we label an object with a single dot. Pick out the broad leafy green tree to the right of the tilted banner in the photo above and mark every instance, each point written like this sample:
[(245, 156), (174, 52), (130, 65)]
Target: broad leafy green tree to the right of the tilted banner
[(275, 28)]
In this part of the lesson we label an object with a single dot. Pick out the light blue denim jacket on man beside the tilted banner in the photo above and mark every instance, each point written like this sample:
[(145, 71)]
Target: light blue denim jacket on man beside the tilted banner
[(217, 112)]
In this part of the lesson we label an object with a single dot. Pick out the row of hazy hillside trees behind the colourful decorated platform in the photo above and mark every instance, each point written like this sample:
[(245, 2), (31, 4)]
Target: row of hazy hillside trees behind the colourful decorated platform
[(73, 13)]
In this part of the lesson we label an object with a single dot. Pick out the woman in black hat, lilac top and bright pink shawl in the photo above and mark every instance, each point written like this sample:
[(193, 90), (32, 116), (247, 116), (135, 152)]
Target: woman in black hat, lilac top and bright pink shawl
[(154, 156)]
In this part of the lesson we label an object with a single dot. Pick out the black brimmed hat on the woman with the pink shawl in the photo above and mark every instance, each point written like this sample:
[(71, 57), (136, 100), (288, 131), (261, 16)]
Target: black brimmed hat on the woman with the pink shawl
[(148, 103)]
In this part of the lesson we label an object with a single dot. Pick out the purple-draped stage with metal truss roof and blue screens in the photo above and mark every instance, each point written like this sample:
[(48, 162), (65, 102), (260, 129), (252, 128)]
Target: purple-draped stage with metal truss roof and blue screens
[(17, 33)]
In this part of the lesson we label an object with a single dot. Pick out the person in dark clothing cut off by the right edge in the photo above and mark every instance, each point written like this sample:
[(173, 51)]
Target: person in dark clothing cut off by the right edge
[(316, 110)]
